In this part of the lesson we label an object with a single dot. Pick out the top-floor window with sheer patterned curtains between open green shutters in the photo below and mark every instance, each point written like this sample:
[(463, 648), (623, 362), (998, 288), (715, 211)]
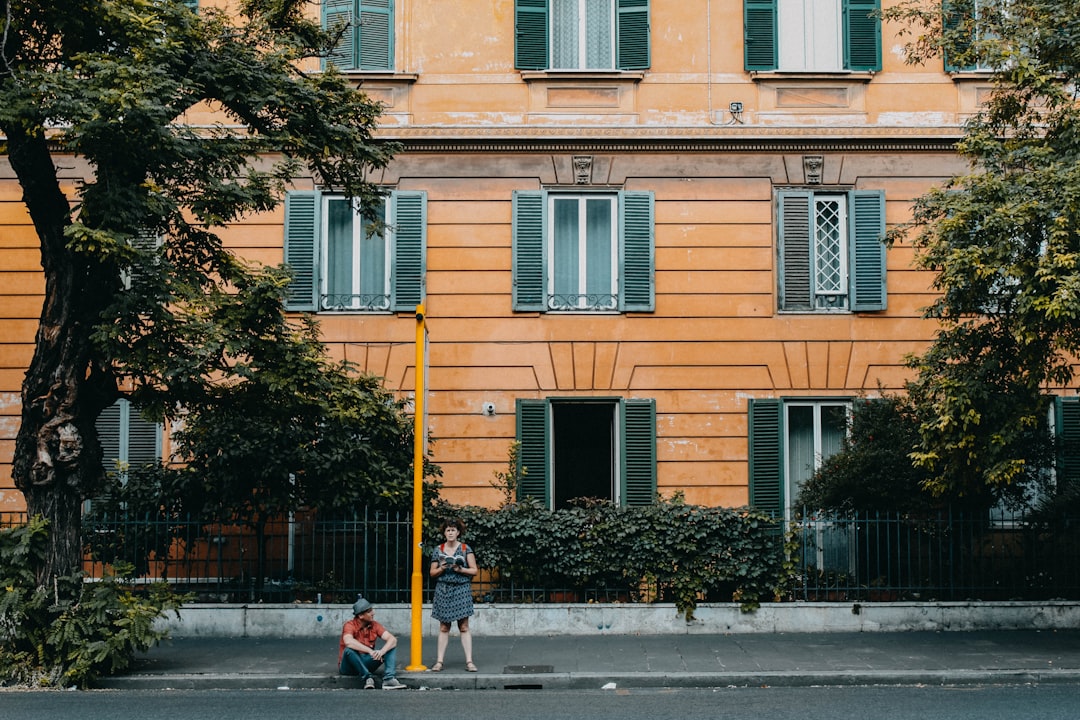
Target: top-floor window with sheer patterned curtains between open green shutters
[(582, 35)]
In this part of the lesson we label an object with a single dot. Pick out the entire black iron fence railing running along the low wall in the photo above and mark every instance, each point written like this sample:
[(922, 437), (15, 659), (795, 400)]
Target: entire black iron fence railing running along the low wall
[(862, 558)]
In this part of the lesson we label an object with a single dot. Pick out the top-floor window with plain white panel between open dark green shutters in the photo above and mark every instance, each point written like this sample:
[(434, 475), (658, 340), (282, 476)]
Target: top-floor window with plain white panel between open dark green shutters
[(819, 36)]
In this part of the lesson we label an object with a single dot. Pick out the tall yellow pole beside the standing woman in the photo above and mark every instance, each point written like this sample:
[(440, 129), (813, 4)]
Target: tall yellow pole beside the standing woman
[(420, 441)]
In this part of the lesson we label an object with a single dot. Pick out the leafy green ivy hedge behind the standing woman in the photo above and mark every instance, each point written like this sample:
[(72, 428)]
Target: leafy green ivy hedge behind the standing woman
[(687, 552)]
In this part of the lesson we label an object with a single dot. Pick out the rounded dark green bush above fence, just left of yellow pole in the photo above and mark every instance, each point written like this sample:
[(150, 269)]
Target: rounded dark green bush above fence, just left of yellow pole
[(304, 433)]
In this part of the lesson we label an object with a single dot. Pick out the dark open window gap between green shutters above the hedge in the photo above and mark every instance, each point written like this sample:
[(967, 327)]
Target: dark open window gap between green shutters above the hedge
[(584, 449)]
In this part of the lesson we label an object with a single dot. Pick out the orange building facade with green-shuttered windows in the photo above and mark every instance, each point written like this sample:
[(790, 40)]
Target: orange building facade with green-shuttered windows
[(647, 236)]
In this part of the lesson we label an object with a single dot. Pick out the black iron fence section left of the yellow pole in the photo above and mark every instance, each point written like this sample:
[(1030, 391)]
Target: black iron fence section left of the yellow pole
[(299, 559)]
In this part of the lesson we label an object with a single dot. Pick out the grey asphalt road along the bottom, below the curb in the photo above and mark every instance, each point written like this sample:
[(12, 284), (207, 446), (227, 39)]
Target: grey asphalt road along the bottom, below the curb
[(1051, 702)]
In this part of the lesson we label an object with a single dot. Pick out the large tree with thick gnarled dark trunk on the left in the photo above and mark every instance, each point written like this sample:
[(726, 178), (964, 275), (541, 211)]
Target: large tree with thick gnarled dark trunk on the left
[(142, 300)]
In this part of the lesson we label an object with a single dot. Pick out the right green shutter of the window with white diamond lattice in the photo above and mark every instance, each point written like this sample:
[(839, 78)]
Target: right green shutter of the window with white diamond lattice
[(867, 237)]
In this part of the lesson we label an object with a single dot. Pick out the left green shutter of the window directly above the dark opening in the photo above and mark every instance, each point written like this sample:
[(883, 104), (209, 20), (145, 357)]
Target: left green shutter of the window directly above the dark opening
[(529, 253)]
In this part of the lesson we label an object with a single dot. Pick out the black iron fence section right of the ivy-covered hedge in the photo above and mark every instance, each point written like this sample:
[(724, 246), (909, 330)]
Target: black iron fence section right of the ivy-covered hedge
[(944, 556)]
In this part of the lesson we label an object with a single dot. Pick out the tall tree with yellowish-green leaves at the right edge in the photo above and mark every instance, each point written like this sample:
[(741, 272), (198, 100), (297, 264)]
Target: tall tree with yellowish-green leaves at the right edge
[(1003, 241)]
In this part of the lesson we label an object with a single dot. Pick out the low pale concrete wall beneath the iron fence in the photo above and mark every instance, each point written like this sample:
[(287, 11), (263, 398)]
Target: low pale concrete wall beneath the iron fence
[(286, 621)]
